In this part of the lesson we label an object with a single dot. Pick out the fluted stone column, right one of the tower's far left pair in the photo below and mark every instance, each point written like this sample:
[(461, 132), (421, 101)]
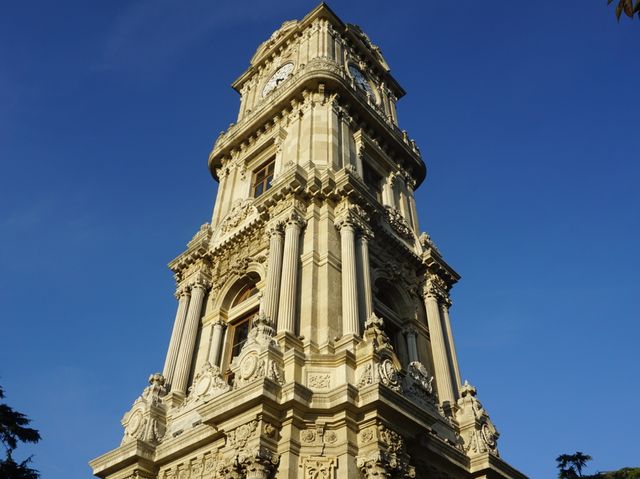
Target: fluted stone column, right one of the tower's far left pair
[(188, 341)]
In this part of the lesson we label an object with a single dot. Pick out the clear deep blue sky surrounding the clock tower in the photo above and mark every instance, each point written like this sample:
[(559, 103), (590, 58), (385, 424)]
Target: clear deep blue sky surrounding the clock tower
[(527, 114)]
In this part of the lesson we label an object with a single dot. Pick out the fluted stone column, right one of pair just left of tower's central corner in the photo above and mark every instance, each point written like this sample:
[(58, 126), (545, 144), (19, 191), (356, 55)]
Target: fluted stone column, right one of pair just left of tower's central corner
[(289, 284)]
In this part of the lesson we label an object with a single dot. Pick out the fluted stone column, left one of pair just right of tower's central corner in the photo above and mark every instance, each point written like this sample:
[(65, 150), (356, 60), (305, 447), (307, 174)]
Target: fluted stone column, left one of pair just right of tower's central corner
[(349, 276)]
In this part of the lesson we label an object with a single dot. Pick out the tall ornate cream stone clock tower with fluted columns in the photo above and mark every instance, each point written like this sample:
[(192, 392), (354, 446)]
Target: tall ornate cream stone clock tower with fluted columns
[(312, 337)]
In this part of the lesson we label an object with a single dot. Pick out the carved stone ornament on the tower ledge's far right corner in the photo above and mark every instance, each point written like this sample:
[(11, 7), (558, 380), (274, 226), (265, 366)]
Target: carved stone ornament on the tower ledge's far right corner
[(477, 432)]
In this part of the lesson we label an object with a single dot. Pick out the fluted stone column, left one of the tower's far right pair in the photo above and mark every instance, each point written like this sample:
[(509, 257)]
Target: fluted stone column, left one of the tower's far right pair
[(438, 348)]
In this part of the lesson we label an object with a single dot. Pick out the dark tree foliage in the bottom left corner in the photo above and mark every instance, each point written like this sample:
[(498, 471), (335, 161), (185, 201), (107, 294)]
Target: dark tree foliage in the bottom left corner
[(13, 429)]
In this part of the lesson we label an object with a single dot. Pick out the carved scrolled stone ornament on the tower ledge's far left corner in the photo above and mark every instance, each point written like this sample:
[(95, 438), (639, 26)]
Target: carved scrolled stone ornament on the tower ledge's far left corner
[(146, 420)]
